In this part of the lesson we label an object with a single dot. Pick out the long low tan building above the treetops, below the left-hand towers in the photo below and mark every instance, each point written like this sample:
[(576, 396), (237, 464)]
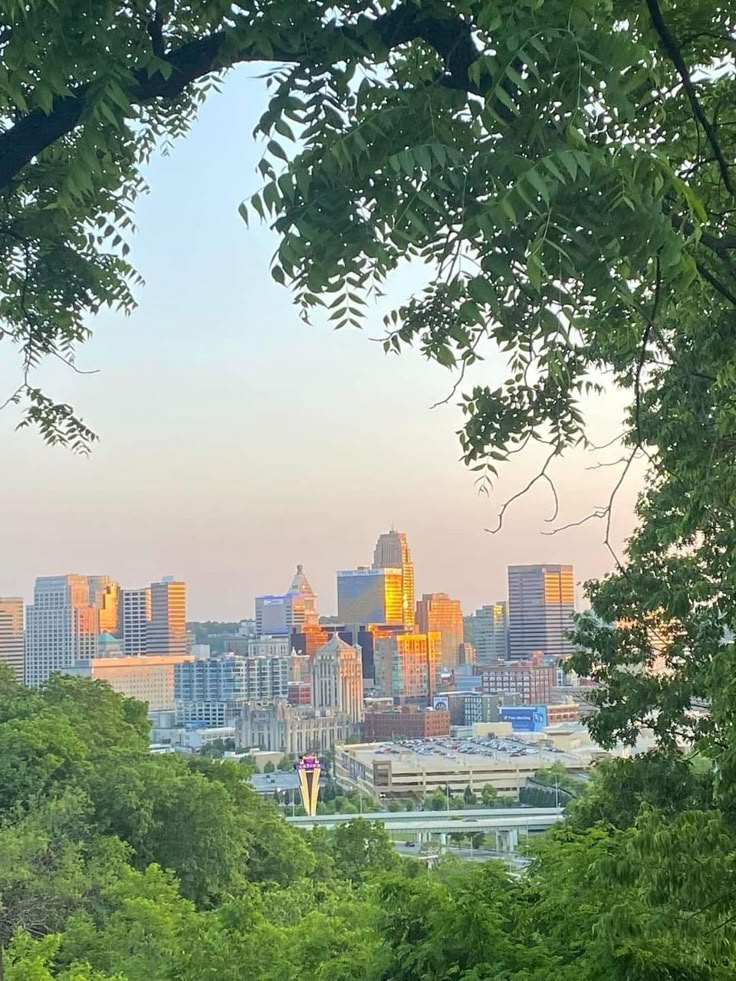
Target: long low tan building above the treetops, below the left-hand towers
[(149, 677)]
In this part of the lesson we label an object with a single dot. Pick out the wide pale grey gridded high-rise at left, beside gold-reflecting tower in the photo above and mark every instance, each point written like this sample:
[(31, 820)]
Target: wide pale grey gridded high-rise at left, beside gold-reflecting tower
[(62, 627)]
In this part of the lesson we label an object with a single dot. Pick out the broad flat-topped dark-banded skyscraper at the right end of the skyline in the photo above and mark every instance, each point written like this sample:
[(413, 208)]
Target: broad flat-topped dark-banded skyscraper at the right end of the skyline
[(541, 608)]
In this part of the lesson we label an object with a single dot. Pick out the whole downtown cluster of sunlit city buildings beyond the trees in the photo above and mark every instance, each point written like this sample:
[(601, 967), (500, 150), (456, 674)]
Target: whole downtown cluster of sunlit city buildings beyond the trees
[(388, 665)]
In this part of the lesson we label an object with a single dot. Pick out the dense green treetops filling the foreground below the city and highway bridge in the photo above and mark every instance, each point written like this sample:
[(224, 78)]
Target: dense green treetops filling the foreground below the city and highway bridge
[(115, 864)]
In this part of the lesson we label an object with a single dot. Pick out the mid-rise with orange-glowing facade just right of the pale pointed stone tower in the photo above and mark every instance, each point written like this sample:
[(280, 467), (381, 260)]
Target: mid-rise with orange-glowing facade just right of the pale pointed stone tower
[(407, 665)]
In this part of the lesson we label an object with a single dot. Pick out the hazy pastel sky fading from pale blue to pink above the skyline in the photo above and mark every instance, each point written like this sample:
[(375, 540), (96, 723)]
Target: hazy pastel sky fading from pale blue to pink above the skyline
[(236, 441)]
